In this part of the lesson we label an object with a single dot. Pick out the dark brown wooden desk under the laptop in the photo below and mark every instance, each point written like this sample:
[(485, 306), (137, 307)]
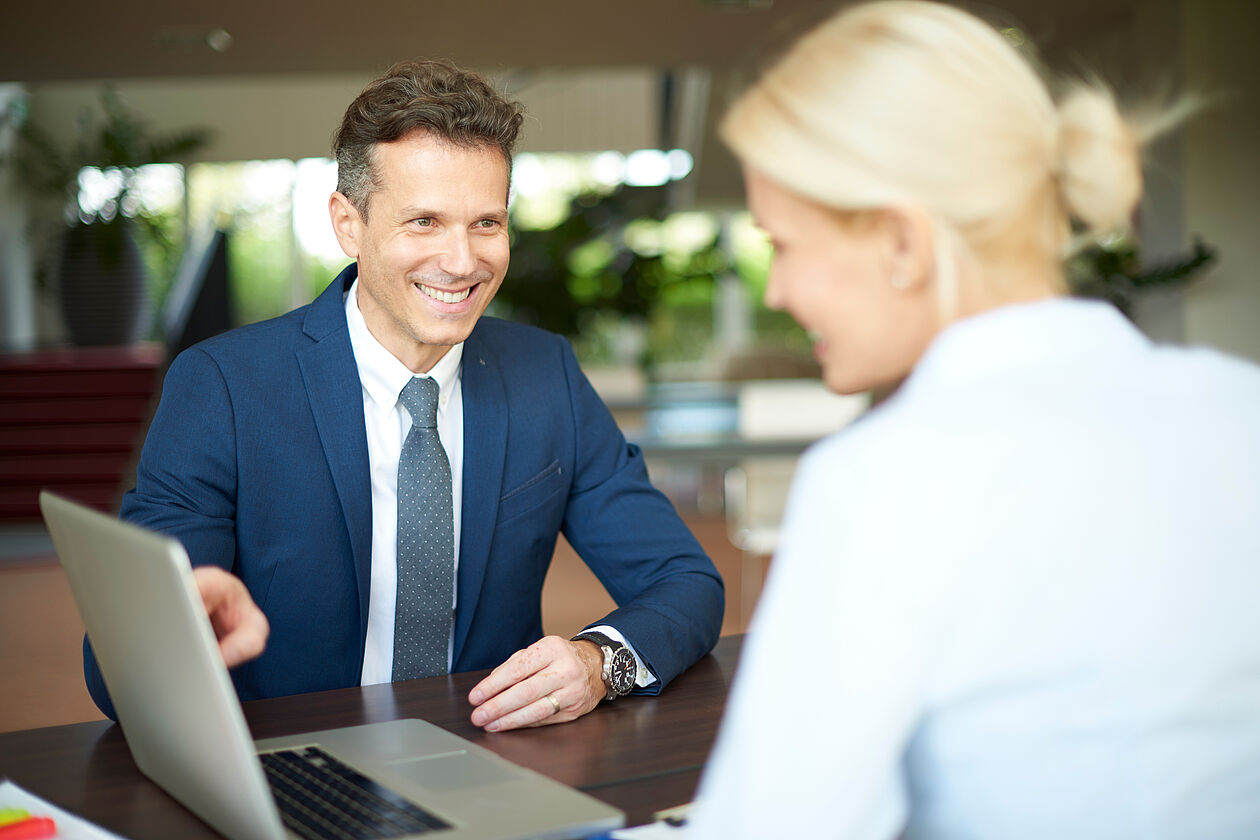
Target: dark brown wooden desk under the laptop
[(639, 755)]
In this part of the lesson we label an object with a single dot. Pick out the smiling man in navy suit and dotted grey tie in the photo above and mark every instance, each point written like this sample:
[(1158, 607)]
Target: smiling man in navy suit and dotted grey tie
[(379, 479)]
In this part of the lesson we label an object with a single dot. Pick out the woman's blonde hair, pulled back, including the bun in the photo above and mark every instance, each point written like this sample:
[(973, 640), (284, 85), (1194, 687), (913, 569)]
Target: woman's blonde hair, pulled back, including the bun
[(907, 101)]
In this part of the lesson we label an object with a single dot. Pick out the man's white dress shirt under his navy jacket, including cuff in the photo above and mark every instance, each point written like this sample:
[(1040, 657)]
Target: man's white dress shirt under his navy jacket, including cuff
[(387, 421)]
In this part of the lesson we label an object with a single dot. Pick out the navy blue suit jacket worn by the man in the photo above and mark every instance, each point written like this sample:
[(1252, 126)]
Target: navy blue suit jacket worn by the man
[(258, 462)]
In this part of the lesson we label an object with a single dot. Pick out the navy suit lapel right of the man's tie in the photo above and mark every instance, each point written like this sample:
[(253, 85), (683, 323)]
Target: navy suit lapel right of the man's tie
[(486, 443)]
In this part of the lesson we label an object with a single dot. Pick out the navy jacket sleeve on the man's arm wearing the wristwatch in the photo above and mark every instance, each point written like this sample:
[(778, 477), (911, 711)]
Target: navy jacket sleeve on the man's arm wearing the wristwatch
[(668, 593)]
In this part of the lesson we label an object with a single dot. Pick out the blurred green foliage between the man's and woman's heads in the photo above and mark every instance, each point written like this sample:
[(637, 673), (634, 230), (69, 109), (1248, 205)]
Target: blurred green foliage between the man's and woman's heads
[(617, 260)]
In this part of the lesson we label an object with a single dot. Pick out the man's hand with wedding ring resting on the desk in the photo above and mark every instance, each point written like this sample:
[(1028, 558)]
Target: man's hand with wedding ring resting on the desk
[(554, 681)]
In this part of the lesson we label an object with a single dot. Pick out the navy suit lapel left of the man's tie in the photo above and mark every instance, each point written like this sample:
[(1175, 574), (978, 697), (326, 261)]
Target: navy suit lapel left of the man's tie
[(336, 399)]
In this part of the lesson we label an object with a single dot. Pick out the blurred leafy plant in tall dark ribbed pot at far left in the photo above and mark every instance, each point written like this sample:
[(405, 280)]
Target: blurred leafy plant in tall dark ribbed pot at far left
[(98, 268)]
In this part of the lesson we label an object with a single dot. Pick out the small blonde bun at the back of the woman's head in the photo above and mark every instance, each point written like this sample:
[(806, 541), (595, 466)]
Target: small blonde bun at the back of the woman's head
[(1101, 163)]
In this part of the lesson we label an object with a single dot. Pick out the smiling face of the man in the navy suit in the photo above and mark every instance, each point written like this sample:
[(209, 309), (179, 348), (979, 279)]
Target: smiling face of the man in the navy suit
[(434, 249)]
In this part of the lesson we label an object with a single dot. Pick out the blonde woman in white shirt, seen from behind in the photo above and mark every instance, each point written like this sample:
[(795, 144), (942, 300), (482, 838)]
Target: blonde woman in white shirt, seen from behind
[(1019, 599)]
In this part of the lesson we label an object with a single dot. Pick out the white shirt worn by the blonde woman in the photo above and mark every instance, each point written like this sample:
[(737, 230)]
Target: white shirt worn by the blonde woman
[(1019, 600)]
